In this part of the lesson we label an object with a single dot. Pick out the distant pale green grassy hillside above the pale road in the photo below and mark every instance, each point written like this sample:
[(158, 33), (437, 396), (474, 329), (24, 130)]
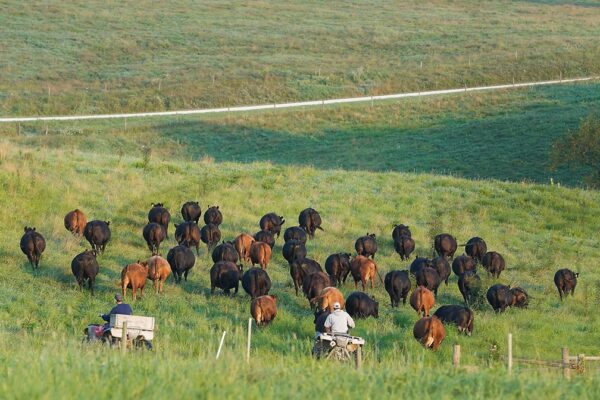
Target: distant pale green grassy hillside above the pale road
[(92, 56)]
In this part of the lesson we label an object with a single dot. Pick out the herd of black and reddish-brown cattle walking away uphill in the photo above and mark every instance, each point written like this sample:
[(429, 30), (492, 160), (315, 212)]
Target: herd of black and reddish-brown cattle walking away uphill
[(319, 287)]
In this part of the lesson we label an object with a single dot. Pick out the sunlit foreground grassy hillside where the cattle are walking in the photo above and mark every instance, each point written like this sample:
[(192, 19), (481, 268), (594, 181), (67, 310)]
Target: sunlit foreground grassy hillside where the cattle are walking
[(538, 228)]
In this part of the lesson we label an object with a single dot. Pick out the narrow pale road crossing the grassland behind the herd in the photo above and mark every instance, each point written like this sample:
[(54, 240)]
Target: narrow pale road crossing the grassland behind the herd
[(312, 103)]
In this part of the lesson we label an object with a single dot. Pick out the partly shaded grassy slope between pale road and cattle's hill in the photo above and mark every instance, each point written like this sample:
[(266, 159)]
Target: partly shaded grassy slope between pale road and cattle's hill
[(502, 135)]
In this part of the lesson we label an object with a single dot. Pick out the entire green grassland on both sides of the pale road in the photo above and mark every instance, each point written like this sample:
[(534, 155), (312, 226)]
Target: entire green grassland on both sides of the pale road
[(469, 164)]
